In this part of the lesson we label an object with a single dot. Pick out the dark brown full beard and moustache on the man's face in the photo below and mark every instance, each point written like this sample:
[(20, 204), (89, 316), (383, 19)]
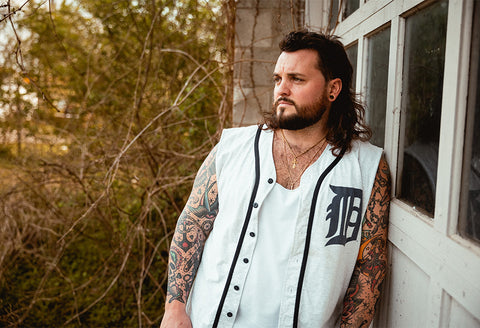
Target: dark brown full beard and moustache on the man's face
[(303, 117)]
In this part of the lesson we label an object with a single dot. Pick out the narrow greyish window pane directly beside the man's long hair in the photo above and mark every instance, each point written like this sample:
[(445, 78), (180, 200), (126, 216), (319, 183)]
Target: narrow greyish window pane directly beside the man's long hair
[(377, 80)]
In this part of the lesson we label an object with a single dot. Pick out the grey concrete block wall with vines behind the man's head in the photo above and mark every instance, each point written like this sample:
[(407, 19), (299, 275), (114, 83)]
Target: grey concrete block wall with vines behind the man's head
[(259, 27)]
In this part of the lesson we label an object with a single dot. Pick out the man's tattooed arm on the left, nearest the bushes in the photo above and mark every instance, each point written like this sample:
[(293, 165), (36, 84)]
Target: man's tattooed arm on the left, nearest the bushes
[(193, 228)]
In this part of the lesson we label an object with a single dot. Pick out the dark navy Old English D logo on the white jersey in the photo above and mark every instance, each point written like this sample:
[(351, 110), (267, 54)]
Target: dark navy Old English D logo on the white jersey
[(344, 214)]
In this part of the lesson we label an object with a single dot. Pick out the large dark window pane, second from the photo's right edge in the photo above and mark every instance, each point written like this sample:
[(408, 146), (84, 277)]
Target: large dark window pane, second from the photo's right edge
[(424, 59)]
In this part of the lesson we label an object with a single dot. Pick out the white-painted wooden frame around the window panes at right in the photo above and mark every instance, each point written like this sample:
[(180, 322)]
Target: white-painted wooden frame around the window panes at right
[(449, 259)]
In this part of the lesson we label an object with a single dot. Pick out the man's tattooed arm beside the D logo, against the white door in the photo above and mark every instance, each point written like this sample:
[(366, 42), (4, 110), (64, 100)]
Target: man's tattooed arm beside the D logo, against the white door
[(365, 285)]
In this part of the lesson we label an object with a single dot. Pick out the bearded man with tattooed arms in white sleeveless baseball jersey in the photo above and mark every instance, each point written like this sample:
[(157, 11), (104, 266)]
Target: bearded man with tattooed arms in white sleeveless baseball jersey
[(295, 212)]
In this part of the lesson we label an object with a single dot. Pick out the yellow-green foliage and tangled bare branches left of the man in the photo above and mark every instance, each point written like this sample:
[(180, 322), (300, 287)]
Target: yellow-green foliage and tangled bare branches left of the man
[(118, 102)]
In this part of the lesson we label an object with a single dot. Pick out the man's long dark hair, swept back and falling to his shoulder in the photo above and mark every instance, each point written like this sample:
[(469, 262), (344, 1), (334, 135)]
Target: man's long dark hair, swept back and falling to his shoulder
[(345, 122)]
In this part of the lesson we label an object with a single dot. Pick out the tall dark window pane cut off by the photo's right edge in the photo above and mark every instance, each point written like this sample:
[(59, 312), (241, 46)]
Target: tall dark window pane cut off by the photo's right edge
[(470, 218)]
